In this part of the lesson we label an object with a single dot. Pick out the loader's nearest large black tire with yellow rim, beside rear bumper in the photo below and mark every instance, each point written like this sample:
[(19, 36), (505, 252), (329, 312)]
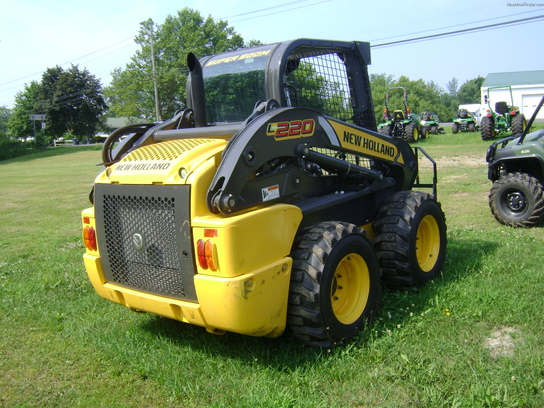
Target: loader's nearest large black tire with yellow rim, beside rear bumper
[(335, 284)]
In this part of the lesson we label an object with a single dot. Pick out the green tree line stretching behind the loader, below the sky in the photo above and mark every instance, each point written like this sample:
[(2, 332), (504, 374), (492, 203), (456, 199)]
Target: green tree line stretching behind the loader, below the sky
[(152, 85)]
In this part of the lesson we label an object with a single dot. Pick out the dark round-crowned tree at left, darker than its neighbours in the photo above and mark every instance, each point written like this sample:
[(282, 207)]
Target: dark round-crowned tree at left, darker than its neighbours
[(71, 100)]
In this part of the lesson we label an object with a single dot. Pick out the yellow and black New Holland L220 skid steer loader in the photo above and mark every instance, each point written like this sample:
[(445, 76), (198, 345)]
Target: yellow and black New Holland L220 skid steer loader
[(271, 202)]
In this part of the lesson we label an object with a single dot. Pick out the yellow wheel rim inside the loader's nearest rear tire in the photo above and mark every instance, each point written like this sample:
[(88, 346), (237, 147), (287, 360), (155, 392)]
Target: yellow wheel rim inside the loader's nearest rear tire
[(350, 288)]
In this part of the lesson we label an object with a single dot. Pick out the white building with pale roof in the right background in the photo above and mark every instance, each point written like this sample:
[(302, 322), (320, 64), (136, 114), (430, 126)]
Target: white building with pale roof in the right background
[(527, 90)]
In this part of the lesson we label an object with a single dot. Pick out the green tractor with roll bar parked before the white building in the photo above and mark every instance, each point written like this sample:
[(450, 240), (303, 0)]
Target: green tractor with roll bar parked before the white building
[(503, 118)]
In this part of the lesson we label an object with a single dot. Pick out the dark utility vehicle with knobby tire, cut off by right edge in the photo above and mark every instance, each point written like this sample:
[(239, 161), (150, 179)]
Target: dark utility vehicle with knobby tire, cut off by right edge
[(516, 168)]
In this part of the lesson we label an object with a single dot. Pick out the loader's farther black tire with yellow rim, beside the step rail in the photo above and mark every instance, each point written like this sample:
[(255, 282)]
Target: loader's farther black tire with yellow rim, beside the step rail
[(410, 238)]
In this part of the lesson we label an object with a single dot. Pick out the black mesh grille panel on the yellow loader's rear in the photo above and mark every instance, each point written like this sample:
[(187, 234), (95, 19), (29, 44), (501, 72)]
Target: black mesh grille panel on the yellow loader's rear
[(144, 238)]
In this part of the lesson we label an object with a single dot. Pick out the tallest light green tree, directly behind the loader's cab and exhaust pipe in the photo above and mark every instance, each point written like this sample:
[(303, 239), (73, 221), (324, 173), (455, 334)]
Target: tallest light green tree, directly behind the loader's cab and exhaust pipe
[(132, 90)]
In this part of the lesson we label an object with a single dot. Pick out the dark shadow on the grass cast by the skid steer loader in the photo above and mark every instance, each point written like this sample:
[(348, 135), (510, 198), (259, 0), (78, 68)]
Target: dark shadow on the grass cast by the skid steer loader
[(286, 353)]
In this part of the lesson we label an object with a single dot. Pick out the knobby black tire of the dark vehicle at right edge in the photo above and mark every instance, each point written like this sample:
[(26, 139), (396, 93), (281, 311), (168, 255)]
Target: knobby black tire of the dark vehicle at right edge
[(517, 200)]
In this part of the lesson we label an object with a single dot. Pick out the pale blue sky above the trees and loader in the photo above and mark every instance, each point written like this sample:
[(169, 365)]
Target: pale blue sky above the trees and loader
[(99, 35)]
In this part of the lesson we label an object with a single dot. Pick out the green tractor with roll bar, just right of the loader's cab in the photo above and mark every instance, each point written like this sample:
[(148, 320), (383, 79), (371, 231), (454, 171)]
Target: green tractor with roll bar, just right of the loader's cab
[(402, 124)]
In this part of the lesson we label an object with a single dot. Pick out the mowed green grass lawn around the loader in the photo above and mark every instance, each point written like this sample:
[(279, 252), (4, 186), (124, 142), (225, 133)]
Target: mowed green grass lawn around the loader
[(473, 337)]
